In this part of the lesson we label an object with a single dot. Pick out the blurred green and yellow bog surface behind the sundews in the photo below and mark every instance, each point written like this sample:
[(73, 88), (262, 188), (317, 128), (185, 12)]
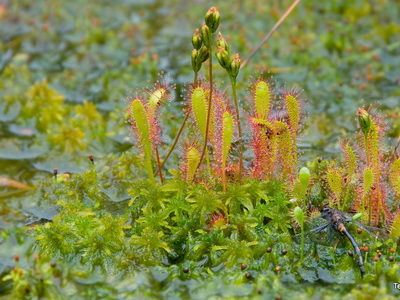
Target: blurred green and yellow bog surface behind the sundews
[(66, 66)]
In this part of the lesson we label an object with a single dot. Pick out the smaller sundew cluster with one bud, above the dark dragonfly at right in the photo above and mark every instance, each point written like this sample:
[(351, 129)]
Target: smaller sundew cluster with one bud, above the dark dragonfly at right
[(364, 180)]
